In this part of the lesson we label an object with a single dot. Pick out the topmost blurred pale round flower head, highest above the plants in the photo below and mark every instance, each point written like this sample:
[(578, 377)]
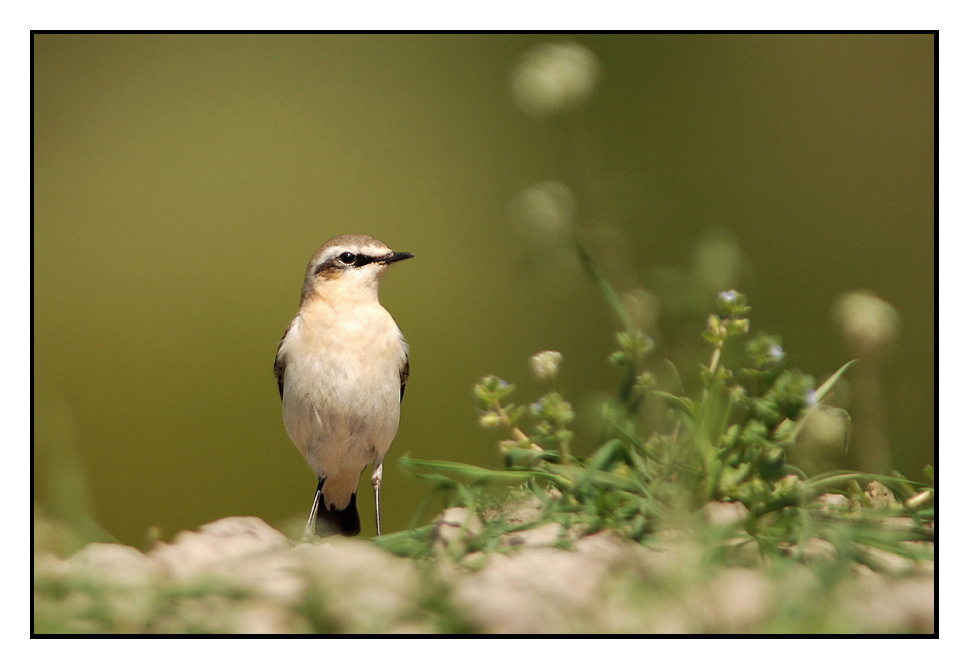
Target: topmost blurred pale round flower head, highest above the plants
[(554, 77)]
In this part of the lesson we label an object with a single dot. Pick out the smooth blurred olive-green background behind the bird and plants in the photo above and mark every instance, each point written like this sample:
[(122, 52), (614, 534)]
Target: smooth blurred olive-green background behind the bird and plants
[(181, 183)]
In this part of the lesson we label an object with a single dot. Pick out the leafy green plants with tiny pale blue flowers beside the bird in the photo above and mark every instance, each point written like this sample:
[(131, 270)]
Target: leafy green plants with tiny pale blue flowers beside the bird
[(727, 444)]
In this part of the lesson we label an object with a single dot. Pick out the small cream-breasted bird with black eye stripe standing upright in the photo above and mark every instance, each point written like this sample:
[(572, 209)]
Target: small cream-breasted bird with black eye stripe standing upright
[(342, 367)]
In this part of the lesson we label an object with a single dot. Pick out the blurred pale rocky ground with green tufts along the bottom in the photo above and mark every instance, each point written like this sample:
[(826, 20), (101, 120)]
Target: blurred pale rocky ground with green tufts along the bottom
[(241, 576)]
